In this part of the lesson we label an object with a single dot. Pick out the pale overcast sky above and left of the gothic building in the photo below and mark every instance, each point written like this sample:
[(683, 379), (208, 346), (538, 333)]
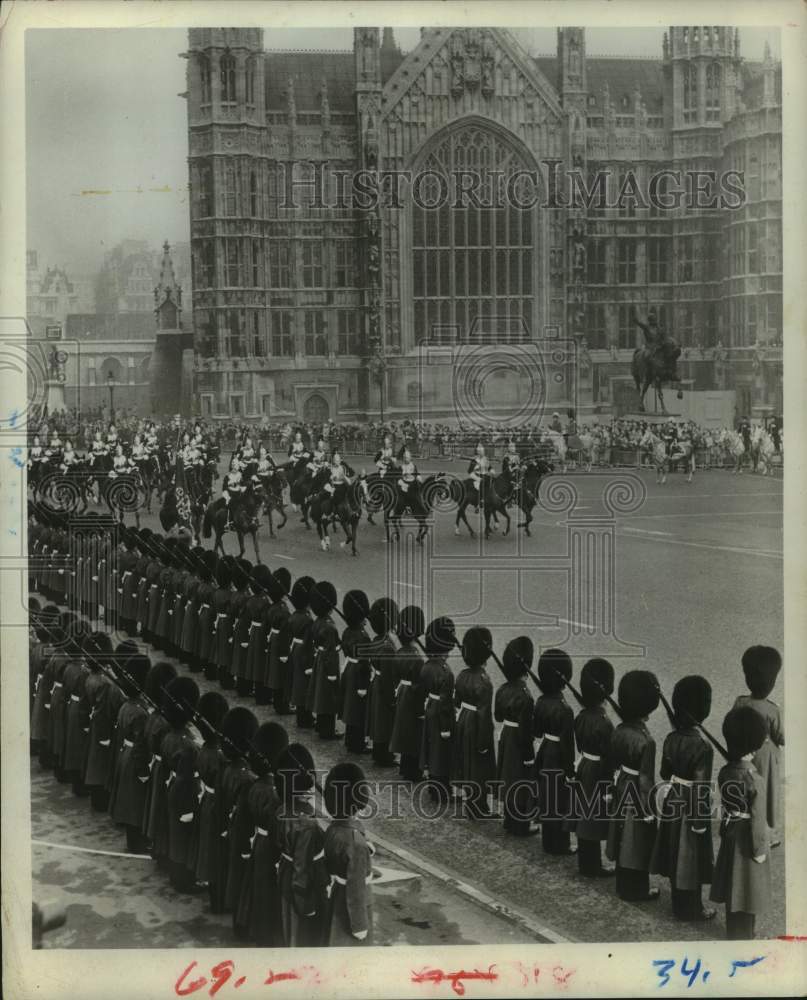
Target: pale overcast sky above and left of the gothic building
[(103, 115)]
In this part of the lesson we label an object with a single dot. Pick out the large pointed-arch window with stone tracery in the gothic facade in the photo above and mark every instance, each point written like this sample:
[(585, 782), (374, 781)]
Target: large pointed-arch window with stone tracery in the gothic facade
[(473, 267)]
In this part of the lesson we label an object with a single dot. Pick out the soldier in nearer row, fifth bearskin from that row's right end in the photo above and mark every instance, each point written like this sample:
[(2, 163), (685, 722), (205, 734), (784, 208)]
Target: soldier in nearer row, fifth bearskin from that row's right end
[(207, 841)]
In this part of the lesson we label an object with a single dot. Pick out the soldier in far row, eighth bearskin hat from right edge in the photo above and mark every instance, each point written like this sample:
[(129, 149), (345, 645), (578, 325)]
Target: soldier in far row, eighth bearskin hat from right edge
[(474, 761)]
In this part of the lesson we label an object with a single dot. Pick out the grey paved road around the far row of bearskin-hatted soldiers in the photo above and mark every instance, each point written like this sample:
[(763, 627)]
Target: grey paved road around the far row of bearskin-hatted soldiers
[(697, 578)]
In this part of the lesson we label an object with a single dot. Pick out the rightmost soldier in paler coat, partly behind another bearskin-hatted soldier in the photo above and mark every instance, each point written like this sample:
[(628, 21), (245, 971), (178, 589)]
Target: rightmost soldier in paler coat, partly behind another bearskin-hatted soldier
[(761, 666)]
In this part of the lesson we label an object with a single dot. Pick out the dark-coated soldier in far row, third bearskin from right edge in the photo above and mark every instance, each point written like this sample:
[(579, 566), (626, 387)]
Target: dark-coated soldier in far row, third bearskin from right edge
[(683, 850)]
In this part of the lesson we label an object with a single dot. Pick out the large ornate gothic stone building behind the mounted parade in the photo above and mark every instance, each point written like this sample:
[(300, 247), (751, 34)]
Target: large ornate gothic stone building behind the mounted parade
[(322, 309)]
